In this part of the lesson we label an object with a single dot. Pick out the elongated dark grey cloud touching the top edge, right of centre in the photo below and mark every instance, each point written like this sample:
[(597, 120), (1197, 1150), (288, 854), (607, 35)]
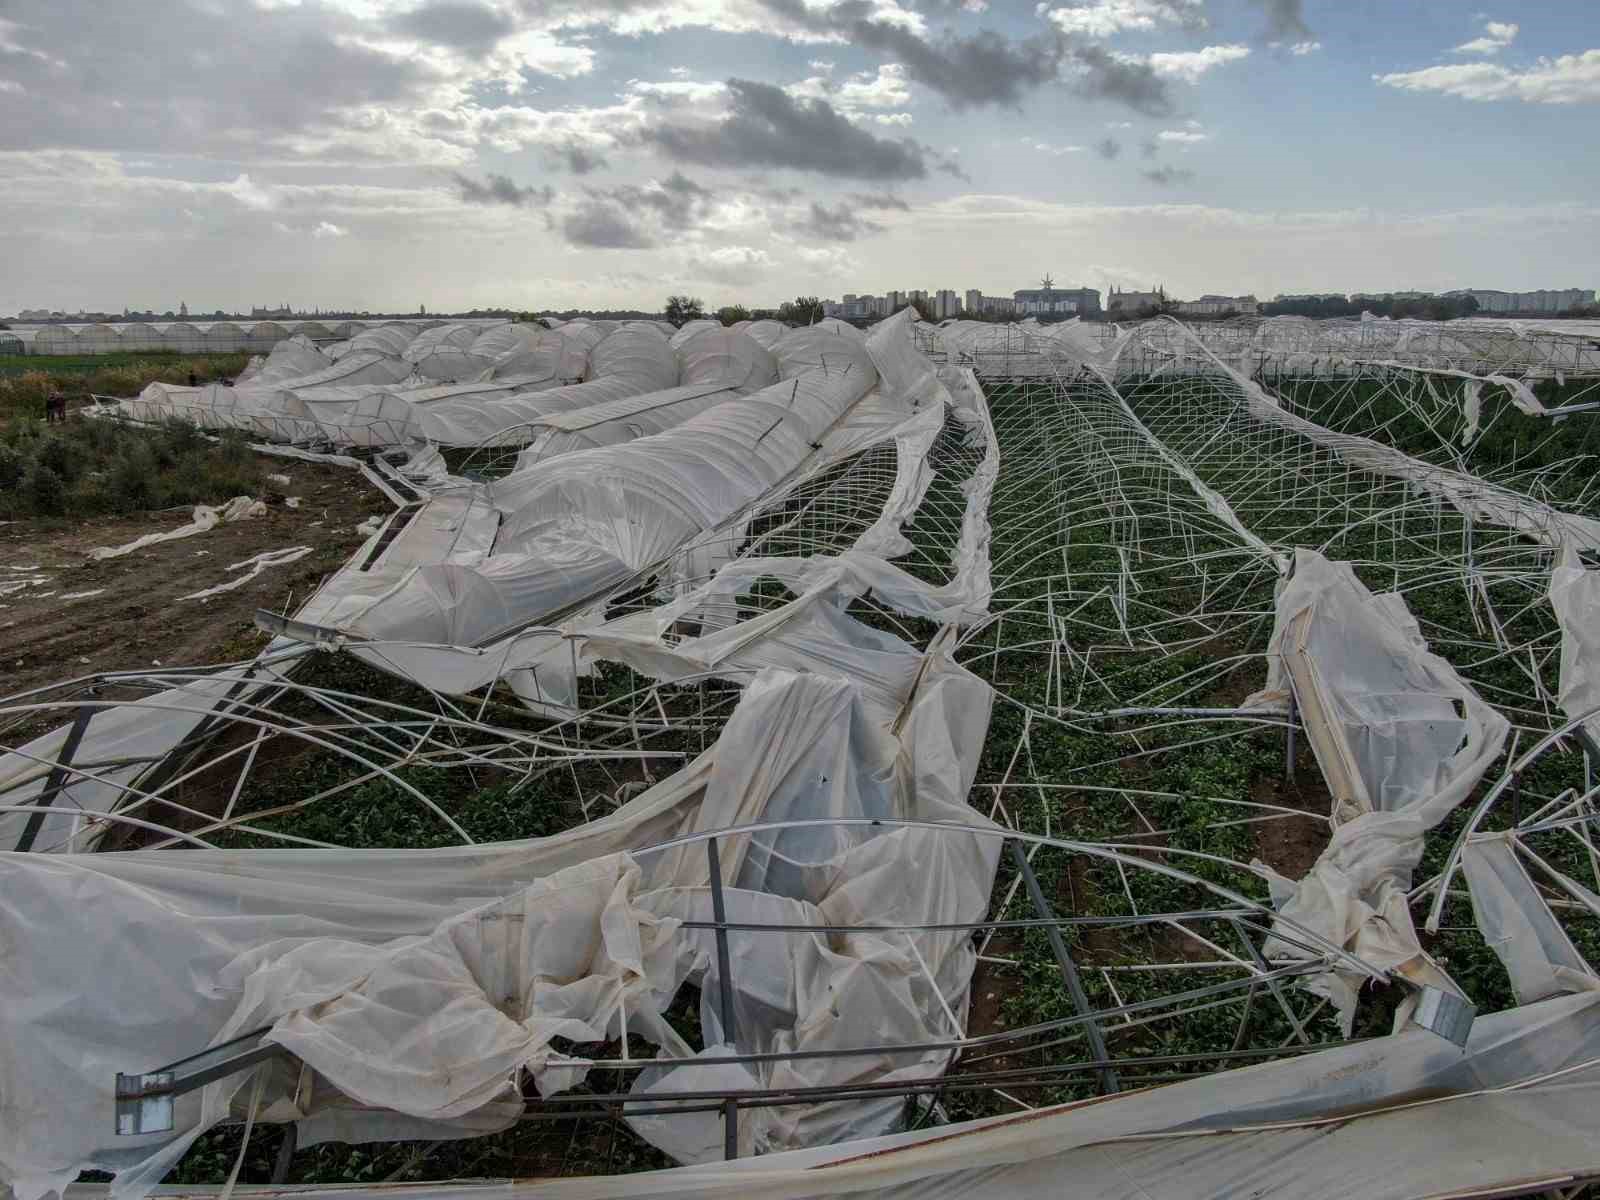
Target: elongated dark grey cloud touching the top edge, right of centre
[(986, 68)]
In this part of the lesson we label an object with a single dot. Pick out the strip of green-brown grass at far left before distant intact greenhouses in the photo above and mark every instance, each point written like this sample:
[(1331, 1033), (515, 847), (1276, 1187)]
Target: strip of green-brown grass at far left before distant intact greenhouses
[(28, 380)]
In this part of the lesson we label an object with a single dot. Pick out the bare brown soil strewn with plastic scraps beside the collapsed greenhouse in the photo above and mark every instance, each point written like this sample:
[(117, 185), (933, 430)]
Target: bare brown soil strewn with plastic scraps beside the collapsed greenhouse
[(138, 617)]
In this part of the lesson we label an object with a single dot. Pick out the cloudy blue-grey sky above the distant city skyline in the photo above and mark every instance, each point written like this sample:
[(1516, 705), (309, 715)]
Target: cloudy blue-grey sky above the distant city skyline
[(553, 154)]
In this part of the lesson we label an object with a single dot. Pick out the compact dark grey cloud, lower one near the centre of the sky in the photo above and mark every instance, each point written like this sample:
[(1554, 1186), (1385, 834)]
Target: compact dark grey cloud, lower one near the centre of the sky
[(767, 127)]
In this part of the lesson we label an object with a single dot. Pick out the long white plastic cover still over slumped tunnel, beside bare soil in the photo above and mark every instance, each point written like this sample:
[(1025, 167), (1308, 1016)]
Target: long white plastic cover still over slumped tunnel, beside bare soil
[(582, 524)]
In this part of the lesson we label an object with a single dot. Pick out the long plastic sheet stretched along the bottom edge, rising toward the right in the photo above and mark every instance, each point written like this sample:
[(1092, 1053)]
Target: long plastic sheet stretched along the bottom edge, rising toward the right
[(1385, 1121)]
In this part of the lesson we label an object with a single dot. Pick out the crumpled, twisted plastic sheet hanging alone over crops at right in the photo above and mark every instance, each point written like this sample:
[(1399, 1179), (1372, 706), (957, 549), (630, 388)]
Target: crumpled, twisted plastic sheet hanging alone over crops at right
[(1401, 738)]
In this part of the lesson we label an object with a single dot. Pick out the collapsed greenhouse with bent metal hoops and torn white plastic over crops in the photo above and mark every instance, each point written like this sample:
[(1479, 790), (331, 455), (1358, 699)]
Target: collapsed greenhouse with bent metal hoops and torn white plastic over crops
[(951, 759)]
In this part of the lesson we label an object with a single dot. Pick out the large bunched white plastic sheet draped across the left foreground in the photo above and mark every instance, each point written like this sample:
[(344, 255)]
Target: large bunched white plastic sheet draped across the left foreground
[(391, 972)]
